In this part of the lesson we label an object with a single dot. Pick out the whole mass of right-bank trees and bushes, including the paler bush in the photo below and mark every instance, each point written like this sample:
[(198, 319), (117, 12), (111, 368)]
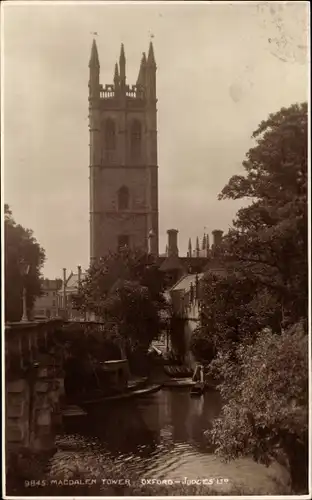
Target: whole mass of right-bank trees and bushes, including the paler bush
[(254, 315)]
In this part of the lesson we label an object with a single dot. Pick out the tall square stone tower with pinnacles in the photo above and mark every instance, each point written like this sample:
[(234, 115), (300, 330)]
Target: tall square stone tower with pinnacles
[(123, 158)]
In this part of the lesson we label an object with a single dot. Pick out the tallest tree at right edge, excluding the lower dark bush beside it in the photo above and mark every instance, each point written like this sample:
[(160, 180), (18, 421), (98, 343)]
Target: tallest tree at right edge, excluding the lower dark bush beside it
[(269, 240)]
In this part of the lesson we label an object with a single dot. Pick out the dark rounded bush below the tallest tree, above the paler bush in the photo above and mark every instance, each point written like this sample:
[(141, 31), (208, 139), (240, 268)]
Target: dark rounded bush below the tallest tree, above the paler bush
[(234, 306)]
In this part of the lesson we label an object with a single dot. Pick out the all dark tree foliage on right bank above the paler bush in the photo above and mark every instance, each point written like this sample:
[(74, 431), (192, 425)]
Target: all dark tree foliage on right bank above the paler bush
[(264, 254)]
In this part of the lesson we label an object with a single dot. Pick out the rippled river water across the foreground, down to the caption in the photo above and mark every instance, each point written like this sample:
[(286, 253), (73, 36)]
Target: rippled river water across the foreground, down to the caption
[(159, 437)]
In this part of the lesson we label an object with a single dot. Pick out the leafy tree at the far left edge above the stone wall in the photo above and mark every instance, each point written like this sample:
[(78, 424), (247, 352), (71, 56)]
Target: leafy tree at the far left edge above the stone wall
[(20, 247)]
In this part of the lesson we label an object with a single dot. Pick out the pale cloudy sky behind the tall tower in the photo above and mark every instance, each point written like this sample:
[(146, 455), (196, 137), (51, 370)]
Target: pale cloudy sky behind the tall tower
[(221, 69)]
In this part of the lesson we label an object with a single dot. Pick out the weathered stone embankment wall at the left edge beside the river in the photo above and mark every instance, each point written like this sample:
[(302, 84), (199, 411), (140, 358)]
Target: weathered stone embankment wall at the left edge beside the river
[(34, 383)]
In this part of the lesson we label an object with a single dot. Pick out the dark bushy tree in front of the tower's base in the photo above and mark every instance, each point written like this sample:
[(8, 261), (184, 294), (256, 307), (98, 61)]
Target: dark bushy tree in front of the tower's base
[(125, 290)]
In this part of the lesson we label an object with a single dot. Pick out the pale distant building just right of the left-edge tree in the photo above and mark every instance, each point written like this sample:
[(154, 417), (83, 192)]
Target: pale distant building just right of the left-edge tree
[(46, 306)]
